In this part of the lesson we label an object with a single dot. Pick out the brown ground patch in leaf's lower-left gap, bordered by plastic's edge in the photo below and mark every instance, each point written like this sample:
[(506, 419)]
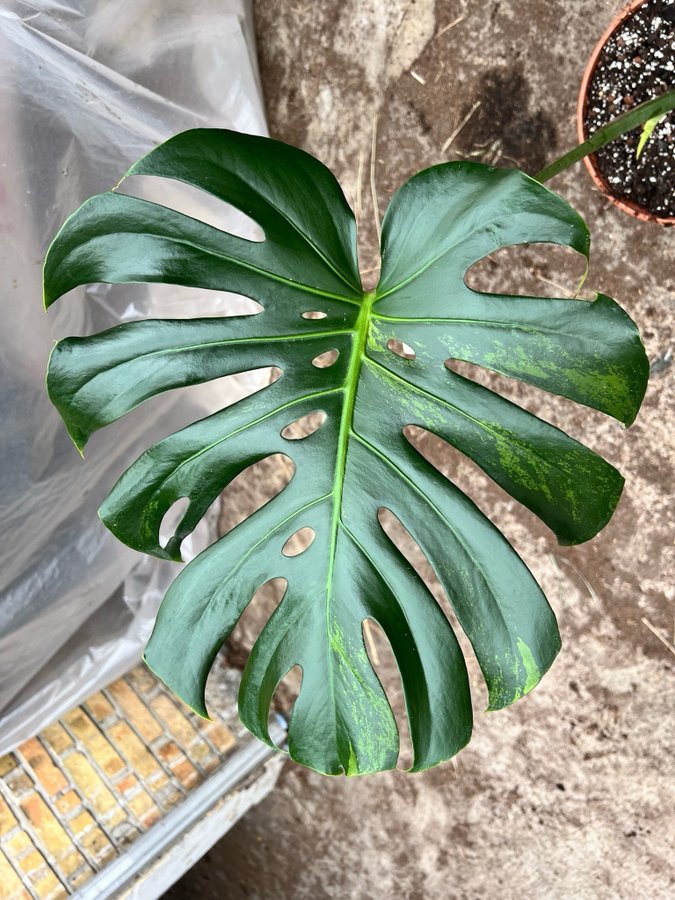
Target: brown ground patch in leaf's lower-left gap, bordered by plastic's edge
[(253, 488)]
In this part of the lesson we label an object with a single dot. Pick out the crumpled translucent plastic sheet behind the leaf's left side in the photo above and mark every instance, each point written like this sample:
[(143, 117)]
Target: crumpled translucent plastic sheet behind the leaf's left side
[(87, 87)]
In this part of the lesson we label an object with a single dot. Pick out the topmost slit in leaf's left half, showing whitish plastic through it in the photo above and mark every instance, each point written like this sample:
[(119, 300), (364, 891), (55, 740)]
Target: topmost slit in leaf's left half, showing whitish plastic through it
[(193, 202)]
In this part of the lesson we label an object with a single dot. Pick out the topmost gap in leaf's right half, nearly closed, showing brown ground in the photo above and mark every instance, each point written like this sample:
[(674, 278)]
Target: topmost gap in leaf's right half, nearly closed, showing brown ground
[(540, 270)]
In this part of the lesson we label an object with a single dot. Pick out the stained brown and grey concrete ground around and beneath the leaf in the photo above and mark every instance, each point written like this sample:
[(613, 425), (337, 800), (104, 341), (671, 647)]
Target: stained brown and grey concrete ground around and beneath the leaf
[(566, 794)]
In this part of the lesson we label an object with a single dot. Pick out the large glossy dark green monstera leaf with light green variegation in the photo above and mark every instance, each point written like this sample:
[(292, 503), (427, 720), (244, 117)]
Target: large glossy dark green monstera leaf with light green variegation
[(359, 461)]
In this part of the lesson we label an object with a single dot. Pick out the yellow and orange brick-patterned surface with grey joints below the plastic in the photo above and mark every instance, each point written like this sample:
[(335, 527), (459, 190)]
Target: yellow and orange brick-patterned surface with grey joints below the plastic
[(78, 793)]
